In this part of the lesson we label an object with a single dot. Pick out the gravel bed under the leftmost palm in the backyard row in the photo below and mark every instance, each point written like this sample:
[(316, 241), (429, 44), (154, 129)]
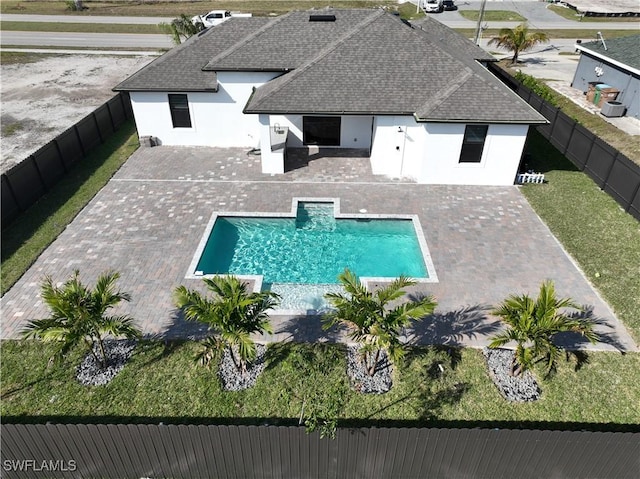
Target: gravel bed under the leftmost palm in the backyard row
[(118, 352)]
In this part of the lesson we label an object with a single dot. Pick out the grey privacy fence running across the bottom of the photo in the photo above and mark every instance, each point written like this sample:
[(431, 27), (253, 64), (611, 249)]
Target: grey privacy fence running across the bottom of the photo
[(221, 452)]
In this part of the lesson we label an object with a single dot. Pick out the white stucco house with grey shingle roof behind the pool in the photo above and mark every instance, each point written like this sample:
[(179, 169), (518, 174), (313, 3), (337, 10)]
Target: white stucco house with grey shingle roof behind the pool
[(417, 100)]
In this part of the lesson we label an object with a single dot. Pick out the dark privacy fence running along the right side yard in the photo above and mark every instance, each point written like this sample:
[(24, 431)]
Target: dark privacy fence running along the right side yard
[(612, 171)]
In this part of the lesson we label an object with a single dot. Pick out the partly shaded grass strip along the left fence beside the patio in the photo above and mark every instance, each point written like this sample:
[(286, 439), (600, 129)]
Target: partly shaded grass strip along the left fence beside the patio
[(26, 238)]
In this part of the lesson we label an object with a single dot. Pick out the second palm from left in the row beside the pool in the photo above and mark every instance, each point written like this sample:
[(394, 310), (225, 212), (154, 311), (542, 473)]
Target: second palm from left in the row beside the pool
[(233, 315)]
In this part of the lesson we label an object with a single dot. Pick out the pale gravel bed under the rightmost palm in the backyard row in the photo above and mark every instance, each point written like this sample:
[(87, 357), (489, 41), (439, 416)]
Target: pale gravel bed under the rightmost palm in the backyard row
[(523, 388)]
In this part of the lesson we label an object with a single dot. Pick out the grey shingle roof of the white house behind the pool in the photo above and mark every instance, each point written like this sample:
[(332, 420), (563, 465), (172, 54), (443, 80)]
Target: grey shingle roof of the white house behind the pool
[(365, 62)]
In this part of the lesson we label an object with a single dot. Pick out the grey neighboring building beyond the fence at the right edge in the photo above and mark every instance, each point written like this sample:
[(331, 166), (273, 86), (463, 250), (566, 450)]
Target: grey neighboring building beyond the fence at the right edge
[(614, 62)]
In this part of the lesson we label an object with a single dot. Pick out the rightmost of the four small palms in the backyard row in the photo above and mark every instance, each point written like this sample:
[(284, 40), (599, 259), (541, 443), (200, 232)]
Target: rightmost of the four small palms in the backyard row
[(532, 324)]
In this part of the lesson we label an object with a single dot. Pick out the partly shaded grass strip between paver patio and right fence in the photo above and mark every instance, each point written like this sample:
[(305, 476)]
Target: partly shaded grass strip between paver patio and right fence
[(597, 233)]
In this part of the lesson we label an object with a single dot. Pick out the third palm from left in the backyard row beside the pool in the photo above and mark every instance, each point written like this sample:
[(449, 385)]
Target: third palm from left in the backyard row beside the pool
[(372, 322)]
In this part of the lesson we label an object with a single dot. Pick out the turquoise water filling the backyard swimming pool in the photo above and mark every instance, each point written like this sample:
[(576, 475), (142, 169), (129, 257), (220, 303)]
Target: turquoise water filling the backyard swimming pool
[(312, 248)]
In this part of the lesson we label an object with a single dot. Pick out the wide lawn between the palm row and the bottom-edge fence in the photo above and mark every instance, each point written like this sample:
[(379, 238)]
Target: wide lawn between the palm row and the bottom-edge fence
[(162, 383)]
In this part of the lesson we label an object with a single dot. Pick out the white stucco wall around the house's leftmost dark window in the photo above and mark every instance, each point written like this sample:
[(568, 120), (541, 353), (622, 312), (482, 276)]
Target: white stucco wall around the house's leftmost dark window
[(216, 117)]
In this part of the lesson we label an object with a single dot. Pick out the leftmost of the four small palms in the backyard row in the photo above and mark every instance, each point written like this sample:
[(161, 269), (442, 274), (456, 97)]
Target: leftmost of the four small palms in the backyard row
[(78, 314)]
